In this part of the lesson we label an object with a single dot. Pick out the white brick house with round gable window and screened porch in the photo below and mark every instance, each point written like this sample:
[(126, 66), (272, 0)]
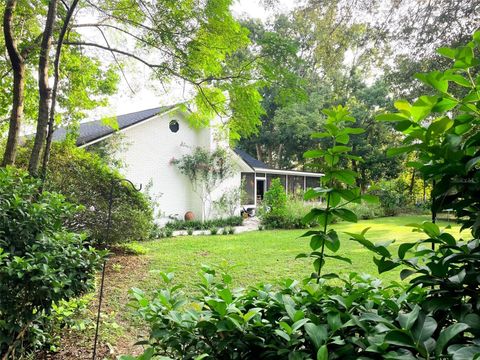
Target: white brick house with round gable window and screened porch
[(155, 136)]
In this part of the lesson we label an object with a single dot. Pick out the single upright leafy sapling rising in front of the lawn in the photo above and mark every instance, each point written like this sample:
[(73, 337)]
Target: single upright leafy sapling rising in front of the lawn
[(338, 188)]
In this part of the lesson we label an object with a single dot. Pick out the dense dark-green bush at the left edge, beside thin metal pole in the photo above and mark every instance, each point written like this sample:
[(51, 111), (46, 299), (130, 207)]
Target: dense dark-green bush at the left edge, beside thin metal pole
[(41, 262)]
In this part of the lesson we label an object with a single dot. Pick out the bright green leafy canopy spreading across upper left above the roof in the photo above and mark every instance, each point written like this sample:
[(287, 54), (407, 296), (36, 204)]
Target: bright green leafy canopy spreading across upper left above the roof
[(192, 41)]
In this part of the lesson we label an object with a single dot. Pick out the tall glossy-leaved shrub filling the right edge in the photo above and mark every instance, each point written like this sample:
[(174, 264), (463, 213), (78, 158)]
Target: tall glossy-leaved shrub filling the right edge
[(443, 129)]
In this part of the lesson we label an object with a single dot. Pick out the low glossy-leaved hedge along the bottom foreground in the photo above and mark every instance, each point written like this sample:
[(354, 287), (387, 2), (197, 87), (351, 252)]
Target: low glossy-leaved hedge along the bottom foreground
[(310, 321)]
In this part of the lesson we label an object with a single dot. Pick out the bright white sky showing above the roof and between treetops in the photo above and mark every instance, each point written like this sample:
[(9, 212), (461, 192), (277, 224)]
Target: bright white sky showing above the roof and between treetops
[(149, 94)]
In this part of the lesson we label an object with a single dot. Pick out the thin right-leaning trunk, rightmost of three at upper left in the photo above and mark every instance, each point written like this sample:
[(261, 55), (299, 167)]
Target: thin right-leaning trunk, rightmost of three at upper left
[(56, 77)]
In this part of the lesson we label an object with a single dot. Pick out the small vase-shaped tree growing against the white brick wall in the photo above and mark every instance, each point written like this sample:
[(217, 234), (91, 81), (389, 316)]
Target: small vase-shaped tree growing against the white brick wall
[(206, 170)]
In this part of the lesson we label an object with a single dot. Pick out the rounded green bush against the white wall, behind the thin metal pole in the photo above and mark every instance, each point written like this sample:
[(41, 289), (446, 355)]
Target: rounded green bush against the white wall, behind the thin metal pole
[(84, 179)]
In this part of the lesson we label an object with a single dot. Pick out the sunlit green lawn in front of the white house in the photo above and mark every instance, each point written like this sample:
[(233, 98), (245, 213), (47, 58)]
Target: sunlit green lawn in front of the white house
[(268, 256)]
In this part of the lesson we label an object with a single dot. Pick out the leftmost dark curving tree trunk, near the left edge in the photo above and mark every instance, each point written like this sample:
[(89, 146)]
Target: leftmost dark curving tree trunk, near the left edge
[(18, 67)]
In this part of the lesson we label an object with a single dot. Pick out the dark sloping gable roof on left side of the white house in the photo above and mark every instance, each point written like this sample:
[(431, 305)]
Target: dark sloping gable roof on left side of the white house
[(95, 130)]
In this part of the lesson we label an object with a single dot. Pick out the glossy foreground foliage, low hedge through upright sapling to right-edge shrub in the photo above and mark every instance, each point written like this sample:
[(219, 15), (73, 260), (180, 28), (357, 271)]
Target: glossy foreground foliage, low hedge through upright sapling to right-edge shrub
[(436, 316)]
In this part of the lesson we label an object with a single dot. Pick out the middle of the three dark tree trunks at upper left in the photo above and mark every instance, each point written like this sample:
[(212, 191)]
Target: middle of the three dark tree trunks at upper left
[(43, 89)]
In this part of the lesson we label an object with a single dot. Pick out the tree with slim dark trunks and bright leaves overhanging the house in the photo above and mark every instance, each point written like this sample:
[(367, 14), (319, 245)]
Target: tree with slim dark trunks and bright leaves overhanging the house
[(193, 41)]
